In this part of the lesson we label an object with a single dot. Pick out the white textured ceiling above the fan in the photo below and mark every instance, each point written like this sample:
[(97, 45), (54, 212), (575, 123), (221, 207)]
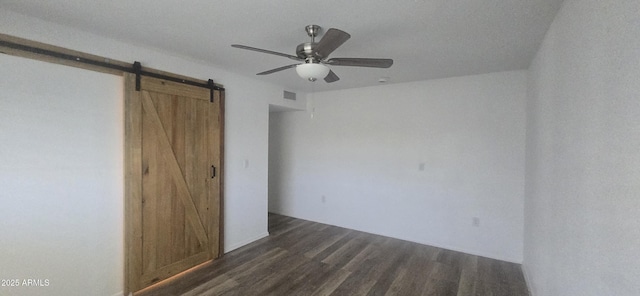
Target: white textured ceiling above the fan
[(426, 38)]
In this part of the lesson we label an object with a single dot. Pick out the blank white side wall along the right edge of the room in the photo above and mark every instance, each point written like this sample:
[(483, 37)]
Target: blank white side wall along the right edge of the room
[(582, 222)]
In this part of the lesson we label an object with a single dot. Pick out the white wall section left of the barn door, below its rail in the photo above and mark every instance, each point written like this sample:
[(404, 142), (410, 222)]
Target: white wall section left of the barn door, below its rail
[(61, 178)]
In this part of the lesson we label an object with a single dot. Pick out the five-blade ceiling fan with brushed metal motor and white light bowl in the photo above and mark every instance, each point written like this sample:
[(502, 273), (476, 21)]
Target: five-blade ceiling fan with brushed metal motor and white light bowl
[(313, 56)]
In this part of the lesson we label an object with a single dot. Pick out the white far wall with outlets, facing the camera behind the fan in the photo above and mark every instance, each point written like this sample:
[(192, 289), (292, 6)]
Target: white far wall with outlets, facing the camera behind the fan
[(354, 158)]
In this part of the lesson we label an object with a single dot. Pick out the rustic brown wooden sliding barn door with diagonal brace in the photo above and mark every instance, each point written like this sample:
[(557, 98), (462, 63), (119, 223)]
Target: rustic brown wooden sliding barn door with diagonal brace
[(173, 157)]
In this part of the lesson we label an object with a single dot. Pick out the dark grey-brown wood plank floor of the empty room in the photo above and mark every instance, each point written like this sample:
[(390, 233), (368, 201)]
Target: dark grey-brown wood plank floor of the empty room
[(307, 258)]
